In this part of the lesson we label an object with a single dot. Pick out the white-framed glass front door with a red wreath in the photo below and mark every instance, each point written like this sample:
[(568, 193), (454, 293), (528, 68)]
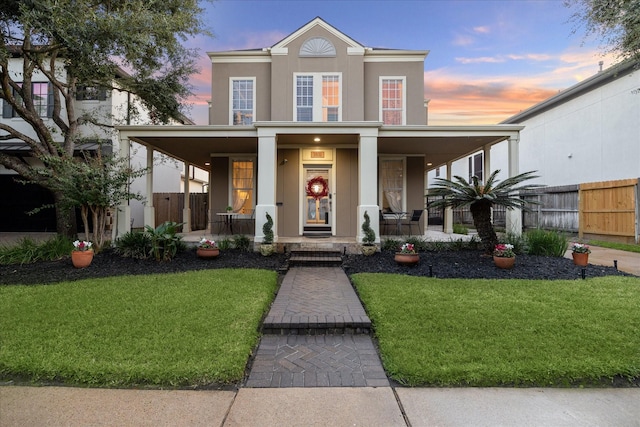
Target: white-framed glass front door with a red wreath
[(318, 218)]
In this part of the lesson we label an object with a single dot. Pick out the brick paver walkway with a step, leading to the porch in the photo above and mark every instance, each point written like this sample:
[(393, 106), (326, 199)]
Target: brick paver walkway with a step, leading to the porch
[(319, 335)]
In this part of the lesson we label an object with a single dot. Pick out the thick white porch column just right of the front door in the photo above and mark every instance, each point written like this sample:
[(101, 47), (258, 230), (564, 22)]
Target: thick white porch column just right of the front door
[(368, 182)]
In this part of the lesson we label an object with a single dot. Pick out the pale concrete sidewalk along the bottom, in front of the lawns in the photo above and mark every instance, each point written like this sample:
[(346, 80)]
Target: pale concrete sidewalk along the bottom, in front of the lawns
[(362, 406)]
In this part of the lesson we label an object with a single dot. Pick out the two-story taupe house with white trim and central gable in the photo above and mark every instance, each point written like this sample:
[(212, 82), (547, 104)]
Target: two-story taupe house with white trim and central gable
[(316, 130)]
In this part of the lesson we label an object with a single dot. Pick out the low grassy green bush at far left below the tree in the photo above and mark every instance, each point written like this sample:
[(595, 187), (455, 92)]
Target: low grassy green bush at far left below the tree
[(26, 250)]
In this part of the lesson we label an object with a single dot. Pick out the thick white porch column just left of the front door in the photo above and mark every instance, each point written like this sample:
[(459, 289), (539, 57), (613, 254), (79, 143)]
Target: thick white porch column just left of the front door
[(266, 184)]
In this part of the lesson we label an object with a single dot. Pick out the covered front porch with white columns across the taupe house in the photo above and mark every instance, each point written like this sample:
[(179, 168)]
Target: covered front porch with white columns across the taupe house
[(285, 157)]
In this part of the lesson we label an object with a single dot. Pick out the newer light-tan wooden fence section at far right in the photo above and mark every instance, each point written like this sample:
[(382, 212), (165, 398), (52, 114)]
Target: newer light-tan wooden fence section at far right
[(610, 210)]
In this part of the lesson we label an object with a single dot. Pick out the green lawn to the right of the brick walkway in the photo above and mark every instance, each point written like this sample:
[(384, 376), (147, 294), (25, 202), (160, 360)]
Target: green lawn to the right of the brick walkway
[(451, 332)]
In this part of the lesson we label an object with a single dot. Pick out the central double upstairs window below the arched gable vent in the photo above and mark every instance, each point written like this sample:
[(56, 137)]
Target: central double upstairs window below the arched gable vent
[(318, 97)]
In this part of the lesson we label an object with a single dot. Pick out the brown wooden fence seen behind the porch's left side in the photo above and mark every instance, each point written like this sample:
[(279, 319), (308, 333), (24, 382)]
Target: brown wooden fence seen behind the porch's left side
[(170, 206)]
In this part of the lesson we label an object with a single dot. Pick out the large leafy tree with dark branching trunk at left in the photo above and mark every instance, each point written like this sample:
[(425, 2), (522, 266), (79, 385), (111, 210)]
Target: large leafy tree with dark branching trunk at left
[(74, 44)]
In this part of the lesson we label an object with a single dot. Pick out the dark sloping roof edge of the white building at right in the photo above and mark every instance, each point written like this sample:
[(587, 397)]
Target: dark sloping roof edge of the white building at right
[(600, 79)]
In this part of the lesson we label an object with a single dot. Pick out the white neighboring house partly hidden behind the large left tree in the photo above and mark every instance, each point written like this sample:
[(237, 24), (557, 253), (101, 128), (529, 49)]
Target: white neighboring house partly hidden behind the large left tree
[(110, 107)]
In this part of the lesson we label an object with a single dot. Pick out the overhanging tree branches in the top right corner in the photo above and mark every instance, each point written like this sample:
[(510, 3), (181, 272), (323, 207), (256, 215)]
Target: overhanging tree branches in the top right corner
[(615, 22)]
